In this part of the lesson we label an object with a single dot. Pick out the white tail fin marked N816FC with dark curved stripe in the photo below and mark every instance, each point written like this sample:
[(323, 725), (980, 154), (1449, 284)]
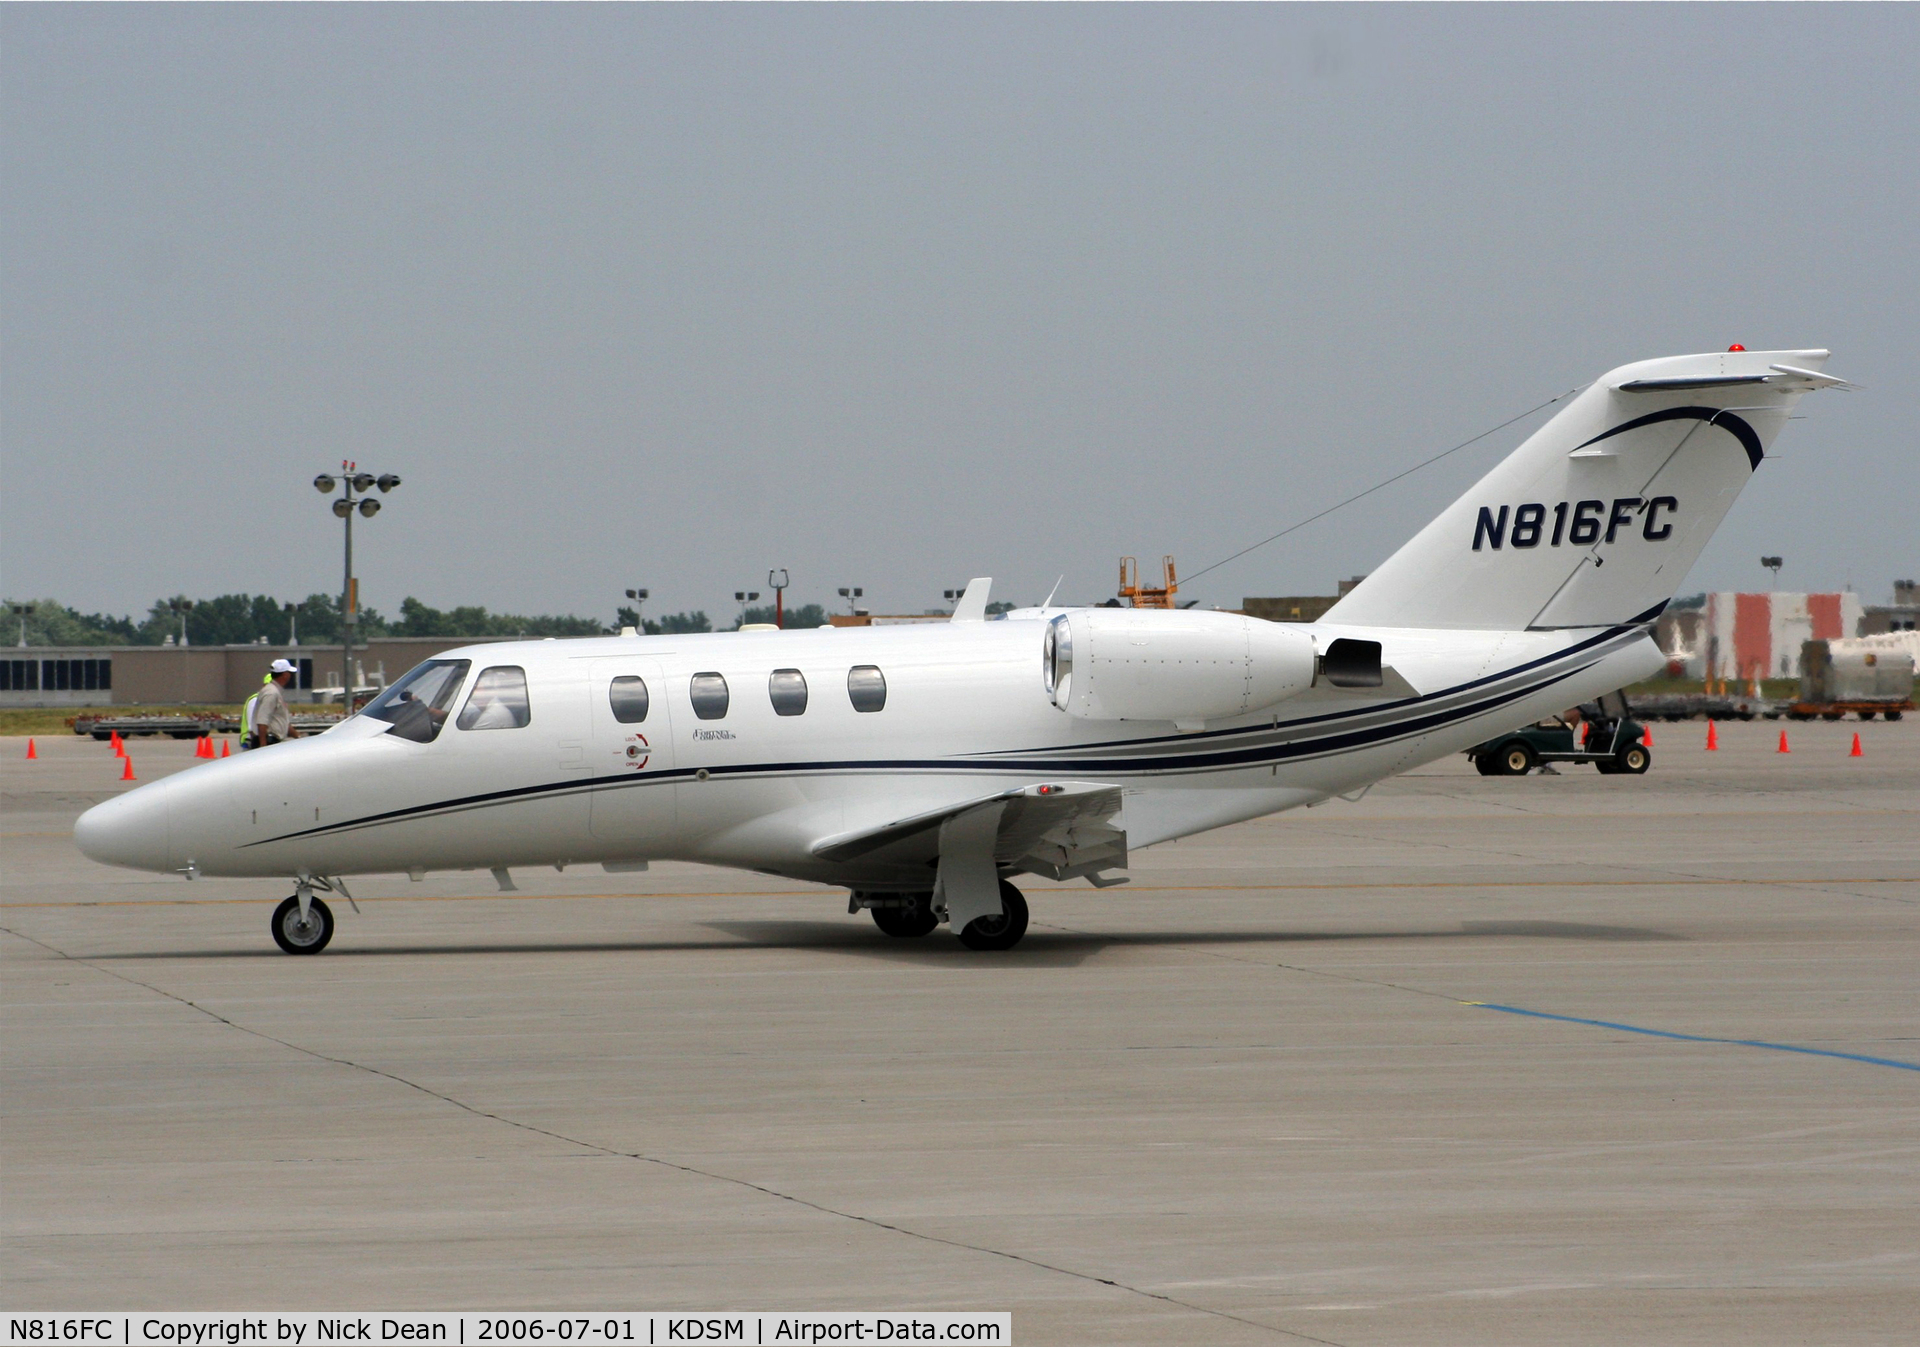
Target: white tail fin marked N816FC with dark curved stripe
[(1602, 513)]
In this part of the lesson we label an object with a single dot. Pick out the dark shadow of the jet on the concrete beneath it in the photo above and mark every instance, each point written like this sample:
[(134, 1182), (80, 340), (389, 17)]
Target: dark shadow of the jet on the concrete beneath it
[(1042, 949)]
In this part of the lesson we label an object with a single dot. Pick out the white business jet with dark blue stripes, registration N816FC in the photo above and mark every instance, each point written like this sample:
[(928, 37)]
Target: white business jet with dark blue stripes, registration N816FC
[(924, 767)]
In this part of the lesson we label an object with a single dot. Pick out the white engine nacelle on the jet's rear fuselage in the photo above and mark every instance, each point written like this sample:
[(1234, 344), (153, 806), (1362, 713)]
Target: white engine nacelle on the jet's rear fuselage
[(1172, 665)]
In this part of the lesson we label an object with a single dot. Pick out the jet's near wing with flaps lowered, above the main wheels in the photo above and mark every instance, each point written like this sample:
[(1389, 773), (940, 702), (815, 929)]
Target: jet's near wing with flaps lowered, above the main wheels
[(1057, 830)]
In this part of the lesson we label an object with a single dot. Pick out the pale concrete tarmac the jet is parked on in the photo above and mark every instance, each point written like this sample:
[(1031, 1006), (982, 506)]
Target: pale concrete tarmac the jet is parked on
[(1548, 1060)]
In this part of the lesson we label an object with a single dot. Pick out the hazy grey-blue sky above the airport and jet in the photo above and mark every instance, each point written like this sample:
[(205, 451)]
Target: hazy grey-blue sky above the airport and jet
[(903, 295)]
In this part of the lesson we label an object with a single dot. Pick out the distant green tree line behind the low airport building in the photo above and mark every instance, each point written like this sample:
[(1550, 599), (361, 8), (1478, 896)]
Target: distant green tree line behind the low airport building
[(251, 619)]
